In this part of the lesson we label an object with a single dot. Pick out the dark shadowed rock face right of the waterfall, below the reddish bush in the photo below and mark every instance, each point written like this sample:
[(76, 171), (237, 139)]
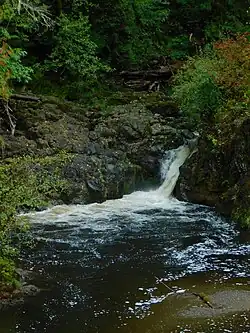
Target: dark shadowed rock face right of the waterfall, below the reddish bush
[(219, 174)]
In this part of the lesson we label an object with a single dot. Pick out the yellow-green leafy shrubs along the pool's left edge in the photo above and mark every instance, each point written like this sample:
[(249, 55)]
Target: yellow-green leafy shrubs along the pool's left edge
[(26, 183)]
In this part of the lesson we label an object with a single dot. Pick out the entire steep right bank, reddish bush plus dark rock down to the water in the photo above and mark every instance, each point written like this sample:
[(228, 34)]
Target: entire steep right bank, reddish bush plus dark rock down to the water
[(213, 89)]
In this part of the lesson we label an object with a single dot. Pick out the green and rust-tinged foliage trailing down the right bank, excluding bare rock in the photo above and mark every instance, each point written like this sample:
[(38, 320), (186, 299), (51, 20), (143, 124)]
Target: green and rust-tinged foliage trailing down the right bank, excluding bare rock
[(214, 90)]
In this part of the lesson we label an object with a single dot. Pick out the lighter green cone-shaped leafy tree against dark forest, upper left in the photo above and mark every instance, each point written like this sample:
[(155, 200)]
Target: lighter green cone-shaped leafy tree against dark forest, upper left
[(74, 53)]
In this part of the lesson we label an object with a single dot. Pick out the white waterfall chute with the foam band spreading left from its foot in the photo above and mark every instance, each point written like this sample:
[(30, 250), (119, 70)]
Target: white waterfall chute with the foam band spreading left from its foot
[(139, 200)]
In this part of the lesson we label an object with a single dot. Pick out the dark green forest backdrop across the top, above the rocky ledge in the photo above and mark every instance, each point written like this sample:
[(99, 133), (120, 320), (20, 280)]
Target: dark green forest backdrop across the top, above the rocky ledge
[(74, 41)]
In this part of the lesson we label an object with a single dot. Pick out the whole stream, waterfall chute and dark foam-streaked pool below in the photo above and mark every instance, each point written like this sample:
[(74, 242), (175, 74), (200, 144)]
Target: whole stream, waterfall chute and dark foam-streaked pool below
[(130, 265)]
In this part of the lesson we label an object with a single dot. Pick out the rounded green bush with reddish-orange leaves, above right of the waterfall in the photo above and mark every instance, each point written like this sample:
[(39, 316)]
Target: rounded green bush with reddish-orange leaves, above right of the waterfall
[(209, 84)]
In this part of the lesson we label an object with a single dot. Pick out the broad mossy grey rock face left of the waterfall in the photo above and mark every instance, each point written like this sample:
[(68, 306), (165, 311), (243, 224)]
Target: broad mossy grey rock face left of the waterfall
[(108, 153)]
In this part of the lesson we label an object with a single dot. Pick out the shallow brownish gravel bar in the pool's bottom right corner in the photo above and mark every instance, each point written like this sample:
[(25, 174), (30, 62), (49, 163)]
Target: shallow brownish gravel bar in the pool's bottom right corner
[(229, 308)]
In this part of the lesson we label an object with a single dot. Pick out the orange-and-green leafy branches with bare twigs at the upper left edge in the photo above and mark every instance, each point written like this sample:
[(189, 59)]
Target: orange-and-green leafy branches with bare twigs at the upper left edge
[(11, 67)]
